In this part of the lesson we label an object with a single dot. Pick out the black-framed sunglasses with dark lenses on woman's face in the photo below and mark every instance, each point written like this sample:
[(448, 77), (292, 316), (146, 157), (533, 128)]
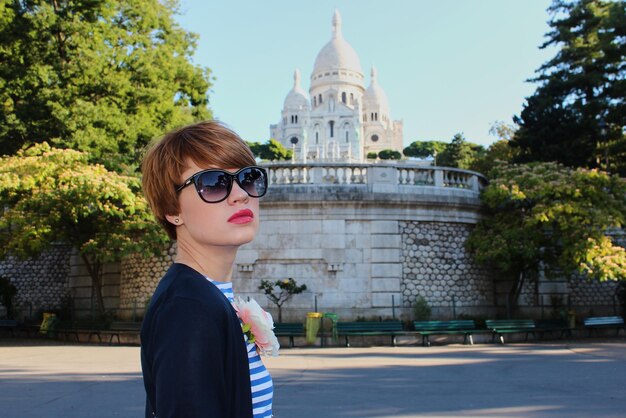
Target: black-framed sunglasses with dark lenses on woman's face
[(214, 186)]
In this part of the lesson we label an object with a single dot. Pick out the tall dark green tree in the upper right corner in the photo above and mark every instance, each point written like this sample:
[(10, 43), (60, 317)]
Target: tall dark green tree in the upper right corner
[(577, 114)]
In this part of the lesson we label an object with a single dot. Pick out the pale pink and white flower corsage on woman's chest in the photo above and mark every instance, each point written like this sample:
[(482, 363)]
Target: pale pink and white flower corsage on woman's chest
[(258, 326)]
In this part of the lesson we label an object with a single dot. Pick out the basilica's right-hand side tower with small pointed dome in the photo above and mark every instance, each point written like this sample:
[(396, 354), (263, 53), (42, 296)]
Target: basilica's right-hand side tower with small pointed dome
[(379, 131)]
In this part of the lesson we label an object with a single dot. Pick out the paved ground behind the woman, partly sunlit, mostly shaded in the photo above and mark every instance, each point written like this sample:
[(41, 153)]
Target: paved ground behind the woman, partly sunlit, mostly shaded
[(569, 379)]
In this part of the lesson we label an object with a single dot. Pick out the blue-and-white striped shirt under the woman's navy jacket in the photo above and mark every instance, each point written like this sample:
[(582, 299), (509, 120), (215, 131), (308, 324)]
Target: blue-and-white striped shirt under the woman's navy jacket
[(260, 379)]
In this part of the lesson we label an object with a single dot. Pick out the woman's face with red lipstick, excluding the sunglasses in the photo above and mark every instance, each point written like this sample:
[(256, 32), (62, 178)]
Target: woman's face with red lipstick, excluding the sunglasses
[(231, 222)]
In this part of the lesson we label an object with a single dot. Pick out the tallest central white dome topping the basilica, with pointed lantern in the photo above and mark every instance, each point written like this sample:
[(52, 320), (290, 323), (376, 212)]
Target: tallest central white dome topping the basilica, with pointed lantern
[(337, 53)]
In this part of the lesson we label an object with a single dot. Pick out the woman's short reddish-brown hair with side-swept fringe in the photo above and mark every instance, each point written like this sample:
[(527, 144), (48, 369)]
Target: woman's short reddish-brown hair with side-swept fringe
[(207, 144)]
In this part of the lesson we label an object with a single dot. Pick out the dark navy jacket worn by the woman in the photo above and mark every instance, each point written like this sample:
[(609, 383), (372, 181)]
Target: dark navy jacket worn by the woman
[(193, 355)]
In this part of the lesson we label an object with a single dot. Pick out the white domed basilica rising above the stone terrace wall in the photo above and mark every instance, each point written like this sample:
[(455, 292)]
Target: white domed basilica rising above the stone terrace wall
[(339, 119)]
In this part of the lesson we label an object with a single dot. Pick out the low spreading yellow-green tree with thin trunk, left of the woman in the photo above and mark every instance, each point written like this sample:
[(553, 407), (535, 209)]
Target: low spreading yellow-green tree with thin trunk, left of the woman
[(51, 195)]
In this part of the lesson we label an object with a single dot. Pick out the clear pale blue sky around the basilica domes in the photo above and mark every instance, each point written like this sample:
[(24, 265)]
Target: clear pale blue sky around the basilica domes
[(447, 66)]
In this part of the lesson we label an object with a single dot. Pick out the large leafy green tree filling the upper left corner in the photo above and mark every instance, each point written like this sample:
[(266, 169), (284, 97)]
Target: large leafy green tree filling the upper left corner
[(102, 76)]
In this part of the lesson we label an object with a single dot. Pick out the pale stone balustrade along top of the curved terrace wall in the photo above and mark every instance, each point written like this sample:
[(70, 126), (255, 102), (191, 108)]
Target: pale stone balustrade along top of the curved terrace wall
[(388, 174)]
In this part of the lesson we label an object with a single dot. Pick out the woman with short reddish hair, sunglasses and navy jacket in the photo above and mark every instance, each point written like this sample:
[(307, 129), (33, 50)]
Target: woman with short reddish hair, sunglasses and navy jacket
[(203, 187)]
